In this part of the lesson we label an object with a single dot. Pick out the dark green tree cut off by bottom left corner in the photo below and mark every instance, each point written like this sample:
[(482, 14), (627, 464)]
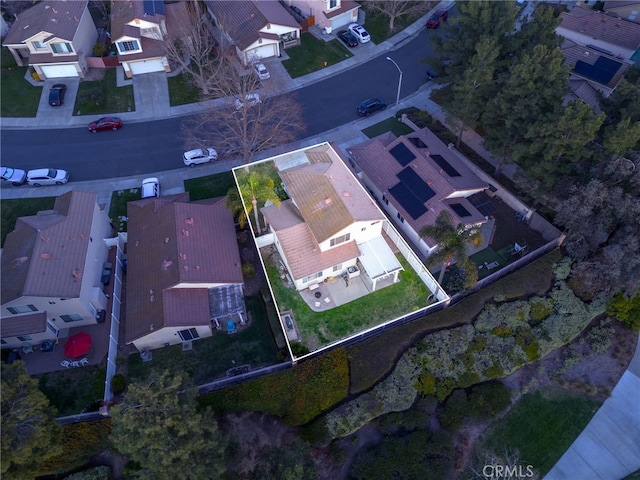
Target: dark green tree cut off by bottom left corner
[(30, 434)]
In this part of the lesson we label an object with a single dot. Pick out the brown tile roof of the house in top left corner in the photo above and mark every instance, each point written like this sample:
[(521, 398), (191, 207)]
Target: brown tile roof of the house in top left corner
[(60, 18)]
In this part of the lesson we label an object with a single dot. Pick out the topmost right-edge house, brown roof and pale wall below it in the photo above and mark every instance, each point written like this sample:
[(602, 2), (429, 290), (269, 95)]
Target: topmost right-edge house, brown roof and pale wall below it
[(613, 36)]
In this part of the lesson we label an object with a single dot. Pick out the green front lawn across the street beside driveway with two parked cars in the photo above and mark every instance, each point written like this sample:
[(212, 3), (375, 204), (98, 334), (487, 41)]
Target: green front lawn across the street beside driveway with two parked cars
[(313, 54)]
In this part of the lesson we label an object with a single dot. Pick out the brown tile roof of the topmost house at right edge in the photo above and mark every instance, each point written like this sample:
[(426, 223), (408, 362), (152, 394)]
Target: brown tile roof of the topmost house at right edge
[(600, 26)]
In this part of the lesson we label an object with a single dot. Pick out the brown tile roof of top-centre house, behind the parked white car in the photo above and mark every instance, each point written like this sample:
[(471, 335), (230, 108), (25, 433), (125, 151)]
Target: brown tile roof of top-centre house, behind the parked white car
[(243, 19)]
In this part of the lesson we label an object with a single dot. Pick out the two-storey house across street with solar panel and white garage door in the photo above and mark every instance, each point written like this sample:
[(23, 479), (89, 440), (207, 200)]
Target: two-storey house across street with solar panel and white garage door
[(139, 29)]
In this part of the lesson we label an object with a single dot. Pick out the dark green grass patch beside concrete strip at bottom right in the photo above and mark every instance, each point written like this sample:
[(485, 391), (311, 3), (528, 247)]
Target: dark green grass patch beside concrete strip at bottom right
[(541, 426)]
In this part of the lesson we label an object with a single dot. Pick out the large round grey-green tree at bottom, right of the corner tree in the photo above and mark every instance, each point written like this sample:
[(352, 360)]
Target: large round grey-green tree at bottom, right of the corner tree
[(158, 427)]
